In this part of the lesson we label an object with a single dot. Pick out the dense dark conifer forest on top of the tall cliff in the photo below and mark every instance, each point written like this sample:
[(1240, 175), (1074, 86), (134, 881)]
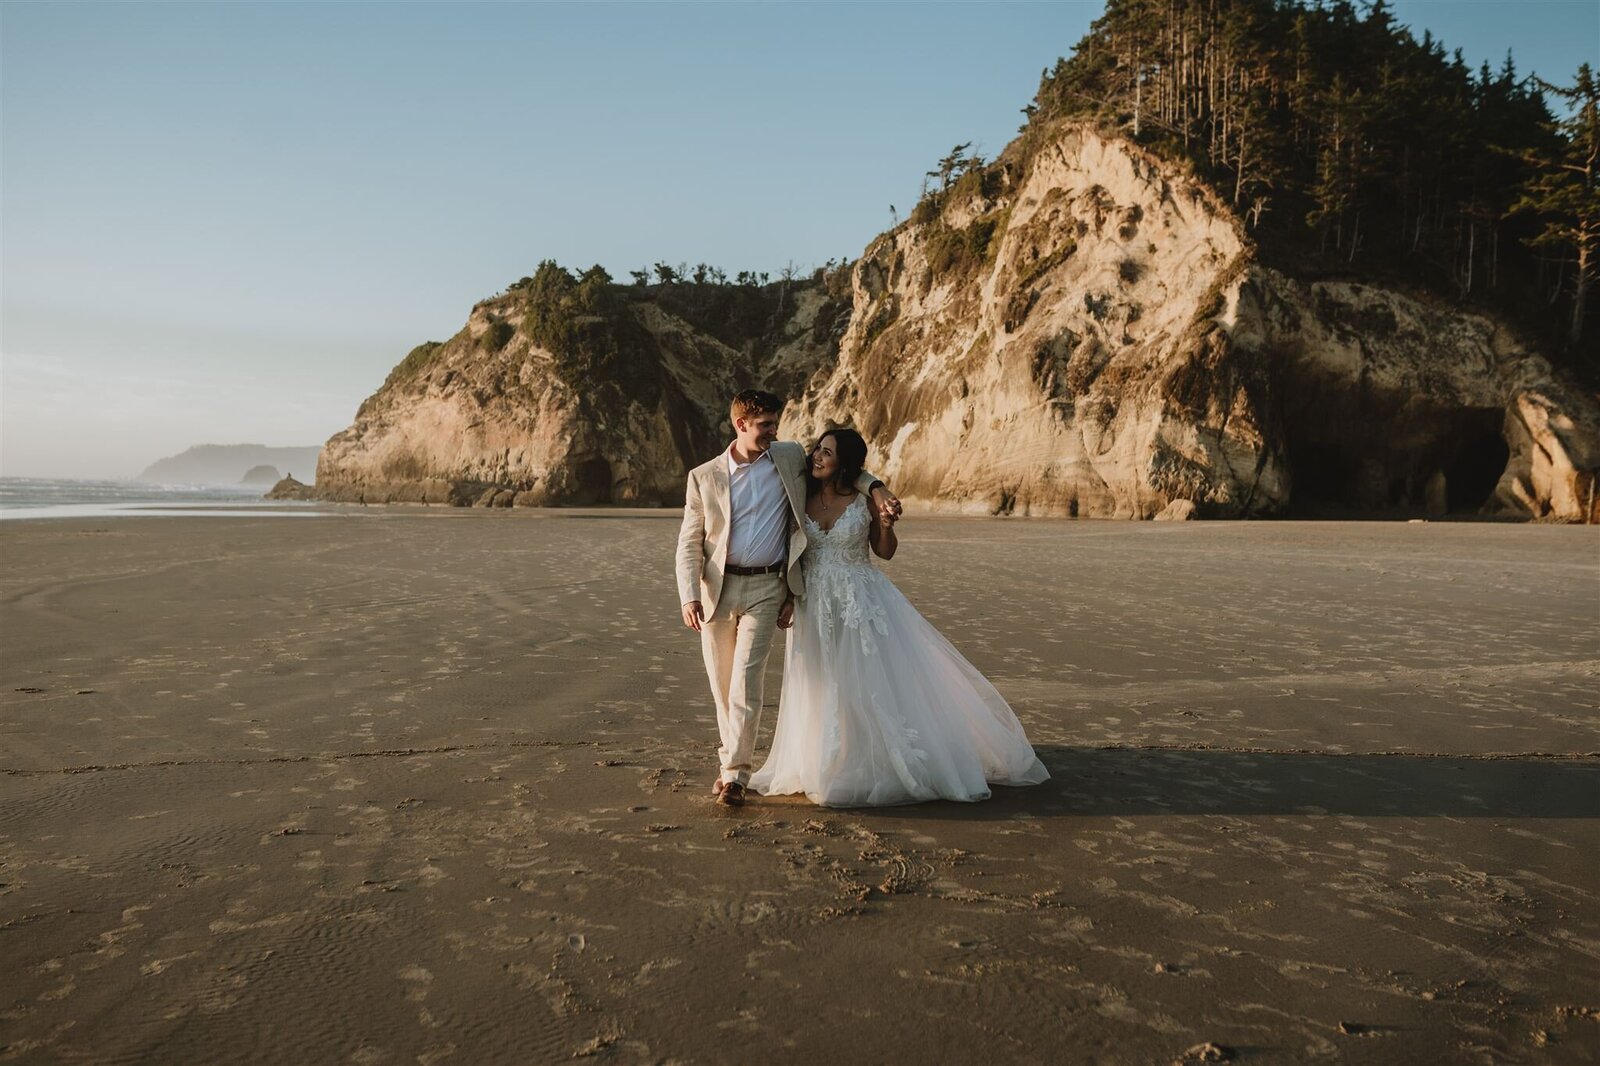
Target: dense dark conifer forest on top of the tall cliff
[(1351, 146)]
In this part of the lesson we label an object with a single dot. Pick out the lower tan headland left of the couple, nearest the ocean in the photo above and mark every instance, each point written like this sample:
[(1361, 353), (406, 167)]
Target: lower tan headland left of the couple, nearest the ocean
[(492, 419)]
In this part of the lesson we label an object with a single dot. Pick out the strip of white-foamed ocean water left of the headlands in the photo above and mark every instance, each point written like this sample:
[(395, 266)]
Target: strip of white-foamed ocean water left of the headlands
[(68, 499)]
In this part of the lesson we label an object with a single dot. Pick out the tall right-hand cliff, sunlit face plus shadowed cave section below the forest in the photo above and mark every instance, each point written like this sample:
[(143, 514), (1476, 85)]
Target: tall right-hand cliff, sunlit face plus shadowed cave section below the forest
[(1121, 353)]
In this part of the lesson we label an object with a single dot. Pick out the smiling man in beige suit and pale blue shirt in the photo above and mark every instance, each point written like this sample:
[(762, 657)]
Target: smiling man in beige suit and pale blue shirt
[(740, 569)]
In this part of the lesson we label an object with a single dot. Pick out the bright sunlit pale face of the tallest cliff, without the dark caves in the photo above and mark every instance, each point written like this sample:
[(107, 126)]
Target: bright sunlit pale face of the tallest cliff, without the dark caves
[(1078, 369)]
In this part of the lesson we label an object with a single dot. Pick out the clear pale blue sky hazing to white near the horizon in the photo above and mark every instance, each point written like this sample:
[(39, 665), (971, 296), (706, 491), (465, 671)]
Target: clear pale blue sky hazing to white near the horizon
[(226, 223)]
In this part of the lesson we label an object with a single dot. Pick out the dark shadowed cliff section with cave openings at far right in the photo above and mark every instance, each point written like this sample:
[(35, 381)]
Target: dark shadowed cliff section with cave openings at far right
[(1398, 401)]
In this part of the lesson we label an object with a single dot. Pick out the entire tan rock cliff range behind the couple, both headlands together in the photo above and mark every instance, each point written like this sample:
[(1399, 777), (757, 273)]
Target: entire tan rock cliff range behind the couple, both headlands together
[(1078, 329)]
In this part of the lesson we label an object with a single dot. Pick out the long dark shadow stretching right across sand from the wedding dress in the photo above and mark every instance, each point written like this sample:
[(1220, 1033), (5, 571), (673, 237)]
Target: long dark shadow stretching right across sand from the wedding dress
[(1105, 782)]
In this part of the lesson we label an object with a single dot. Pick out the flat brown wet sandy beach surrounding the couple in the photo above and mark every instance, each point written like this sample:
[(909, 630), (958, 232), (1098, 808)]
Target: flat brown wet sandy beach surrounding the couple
[(433, 787)]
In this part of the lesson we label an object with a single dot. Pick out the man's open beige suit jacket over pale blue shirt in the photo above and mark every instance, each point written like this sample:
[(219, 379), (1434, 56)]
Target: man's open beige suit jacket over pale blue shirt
[(708, 521)]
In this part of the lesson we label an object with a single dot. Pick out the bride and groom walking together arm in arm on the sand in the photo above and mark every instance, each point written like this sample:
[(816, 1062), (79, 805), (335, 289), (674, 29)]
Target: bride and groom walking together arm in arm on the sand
[(878, 707)]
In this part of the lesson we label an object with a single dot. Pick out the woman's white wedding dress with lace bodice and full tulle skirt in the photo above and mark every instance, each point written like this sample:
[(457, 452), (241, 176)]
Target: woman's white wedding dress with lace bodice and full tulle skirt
[(878, 707)]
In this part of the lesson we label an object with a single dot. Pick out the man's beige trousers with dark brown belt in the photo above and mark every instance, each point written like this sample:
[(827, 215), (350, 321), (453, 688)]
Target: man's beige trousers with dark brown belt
[(737, 644)]
